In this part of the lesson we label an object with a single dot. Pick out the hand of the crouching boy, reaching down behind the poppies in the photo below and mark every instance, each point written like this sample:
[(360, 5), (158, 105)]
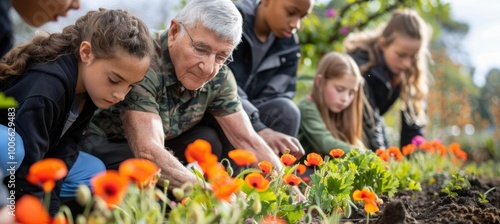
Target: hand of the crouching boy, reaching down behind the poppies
[(280, 142)]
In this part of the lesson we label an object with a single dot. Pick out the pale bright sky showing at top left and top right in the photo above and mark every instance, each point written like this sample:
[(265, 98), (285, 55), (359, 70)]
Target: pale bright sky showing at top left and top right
[(482, 42)]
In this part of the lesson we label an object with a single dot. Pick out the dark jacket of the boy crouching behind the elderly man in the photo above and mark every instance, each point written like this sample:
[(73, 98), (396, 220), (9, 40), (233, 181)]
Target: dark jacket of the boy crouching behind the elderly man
[(276, 74)]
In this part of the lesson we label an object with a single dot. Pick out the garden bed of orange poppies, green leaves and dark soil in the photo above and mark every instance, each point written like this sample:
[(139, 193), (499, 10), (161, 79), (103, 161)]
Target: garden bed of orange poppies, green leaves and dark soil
[(431, 183)]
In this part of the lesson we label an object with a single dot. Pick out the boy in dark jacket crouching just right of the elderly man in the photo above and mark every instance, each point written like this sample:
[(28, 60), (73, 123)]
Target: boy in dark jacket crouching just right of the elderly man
[(265, 66)]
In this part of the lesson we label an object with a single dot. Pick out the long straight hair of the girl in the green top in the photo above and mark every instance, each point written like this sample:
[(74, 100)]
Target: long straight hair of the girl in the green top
[(346, 125)]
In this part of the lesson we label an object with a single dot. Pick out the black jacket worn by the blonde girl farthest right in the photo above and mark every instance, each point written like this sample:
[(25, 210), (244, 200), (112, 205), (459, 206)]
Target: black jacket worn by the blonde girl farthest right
[(381, 96)]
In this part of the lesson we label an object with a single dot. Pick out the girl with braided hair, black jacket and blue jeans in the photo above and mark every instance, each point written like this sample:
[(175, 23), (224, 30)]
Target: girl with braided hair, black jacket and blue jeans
[(58, 81)]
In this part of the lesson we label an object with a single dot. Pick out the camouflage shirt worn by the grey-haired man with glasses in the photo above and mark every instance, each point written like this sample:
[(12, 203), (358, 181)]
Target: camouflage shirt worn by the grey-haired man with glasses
[(161, 93)]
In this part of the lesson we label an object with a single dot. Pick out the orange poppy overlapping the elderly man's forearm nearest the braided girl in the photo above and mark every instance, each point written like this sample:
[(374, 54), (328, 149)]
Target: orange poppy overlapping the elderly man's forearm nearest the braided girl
[(142, 171)]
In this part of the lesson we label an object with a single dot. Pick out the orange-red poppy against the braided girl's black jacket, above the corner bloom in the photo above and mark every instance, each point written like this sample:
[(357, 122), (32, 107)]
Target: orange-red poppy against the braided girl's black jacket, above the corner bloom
[(46, 172)]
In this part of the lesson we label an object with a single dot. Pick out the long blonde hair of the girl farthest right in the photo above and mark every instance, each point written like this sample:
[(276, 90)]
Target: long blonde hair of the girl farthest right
[(407, 23)]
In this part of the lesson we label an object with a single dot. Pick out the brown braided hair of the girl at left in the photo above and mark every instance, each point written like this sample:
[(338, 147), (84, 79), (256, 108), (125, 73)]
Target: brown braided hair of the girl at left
[(109, 31)]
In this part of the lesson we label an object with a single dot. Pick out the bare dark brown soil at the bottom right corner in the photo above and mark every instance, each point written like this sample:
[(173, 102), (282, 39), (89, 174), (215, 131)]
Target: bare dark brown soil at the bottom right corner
[(432, 206)]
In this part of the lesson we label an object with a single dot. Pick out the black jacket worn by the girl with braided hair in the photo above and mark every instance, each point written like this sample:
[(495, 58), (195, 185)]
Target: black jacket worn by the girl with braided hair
[(45, 93)]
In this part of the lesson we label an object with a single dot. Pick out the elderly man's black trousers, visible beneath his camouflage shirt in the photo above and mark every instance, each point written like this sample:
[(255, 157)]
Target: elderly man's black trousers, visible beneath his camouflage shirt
[(113, 153)]
